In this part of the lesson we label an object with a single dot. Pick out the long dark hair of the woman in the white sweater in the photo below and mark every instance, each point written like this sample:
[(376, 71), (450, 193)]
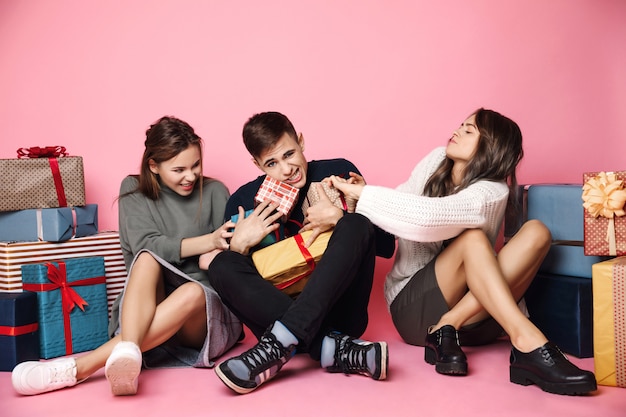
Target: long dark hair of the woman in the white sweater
[(497, 155)]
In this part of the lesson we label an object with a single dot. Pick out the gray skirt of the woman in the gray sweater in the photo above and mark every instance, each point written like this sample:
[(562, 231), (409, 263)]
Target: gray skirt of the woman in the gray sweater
[(223, 327)]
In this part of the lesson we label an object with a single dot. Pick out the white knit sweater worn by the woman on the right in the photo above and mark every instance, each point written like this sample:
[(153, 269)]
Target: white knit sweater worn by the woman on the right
[(421, 223)]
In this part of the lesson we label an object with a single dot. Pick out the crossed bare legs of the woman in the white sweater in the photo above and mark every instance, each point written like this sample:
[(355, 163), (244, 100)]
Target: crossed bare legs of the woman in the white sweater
[(494, 282)]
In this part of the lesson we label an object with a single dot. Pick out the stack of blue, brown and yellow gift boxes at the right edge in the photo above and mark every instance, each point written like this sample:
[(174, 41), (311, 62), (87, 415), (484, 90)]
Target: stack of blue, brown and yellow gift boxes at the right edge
[(578, 297)]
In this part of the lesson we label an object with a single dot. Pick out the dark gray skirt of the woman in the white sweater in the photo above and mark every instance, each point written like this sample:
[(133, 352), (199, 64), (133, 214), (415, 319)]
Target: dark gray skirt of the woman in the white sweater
[(420, 304)]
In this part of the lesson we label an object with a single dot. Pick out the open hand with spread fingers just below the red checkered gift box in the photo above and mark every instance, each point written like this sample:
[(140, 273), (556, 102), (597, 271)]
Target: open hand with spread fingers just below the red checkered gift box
[(249, 231)]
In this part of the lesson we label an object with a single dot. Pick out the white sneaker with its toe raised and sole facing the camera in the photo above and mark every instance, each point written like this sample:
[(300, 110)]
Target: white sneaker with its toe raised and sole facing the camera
[(123, 367)]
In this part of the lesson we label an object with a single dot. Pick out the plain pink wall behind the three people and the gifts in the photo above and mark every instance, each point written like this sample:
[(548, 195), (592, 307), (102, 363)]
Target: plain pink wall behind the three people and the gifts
[(377, 82)]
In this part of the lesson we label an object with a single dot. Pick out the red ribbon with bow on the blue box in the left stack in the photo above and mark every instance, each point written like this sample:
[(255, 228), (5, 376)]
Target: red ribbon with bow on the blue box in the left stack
[(69, 297)]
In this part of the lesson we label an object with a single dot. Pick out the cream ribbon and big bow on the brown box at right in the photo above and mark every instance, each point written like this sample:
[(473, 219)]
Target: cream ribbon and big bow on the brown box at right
[(604, 195)]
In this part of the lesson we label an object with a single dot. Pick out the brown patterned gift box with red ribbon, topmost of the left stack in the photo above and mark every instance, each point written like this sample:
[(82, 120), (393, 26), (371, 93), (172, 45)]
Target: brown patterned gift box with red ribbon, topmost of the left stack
[(41, 180)]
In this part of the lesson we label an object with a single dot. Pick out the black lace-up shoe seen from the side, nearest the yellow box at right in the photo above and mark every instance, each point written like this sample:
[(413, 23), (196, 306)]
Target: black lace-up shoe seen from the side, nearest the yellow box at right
[(551, 371)]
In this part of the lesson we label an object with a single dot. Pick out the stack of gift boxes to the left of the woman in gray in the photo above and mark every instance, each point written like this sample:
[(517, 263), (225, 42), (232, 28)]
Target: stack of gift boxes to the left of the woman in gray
[(58, 274)]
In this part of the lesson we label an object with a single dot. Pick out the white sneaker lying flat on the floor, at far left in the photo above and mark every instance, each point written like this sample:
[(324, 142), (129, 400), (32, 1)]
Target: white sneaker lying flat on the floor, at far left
[(31, 378)]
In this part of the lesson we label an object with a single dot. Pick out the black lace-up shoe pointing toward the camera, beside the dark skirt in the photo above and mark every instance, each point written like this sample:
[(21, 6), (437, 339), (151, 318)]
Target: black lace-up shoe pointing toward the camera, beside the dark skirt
[(442, 350)]
